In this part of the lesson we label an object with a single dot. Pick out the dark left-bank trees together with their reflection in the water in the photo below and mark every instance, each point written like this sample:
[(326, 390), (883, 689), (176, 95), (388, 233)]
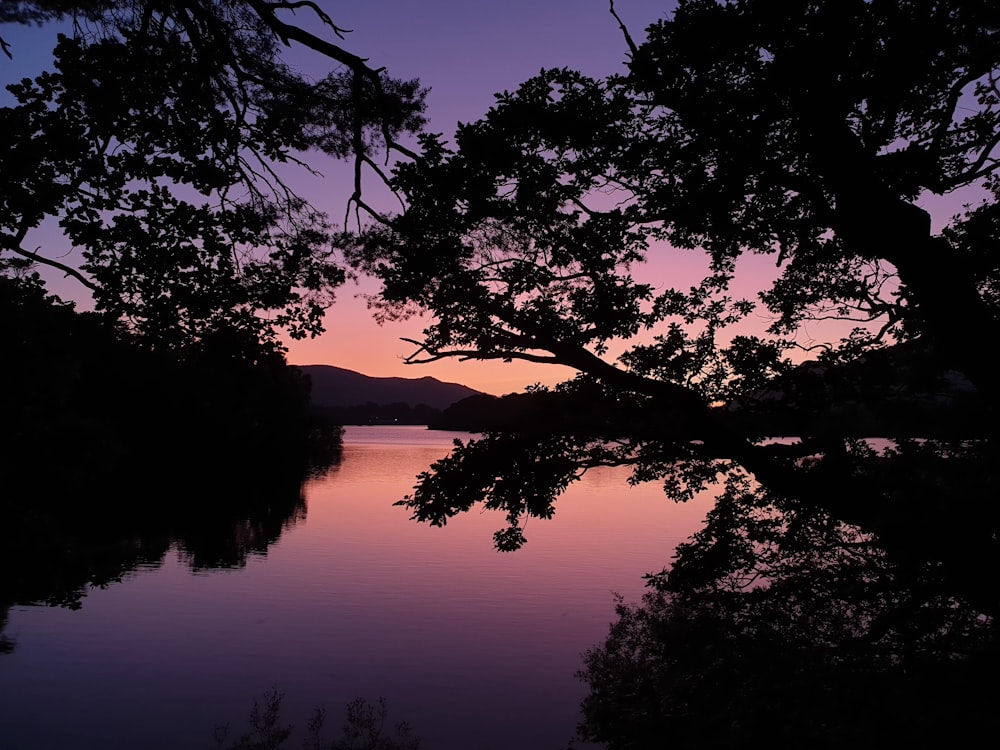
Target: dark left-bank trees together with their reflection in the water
[(112, 453)]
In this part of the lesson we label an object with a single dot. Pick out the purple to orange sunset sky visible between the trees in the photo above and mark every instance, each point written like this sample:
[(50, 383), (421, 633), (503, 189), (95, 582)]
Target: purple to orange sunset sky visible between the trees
[(465, 51)]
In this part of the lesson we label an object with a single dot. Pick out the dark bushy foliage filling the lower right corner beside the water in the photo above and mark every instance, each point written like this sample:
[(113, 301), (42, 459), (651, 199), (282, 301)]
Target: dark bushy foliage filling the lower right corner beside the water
[(863, 619)]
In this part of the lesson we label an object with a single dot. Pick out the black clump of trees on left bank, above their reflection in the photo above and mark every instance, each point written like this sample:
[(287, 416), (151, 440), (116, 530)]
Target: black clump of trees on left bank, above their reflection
[(78, 392)]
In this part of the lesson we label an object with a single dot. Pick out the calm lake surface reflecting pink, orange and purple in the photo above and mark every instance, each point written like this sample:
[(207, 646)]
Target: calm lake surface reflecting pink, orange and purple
[(472, 647)]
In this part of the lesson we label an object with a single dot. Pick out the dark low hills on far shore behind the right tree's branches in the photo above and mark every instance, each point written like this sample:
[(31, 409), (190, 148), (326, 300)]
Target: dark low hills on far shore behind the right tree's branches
[(900, 391)]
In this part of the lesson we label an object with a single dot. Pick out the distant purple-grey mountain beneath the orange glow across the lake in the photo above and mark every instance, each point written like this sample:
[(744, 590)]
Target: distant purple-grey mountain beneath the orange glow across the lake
[(336, 387)]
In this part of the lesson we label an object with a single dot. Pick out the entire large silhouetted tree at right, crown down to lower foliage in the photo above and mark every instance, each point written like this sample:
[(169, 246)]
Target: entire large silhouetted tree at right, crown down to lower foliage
[(806, 131)]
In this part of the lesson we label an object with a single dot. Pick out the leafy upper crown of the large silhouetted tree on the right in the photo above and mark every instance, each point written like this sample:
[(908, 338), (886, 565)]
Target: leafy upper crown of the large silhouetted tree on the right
[(524, 241)]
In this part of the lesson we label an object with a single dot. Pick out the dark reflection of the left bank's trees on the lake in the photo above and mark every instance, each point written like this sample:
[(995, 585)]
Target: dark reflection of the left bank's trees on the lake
[(57, 547)]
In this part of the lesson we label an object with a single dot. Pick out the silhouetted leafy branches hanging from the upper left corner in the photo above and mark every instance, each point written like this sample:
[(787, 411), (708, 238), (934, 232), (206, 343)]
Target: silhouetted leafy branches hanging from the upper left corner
[(160, 143)]
